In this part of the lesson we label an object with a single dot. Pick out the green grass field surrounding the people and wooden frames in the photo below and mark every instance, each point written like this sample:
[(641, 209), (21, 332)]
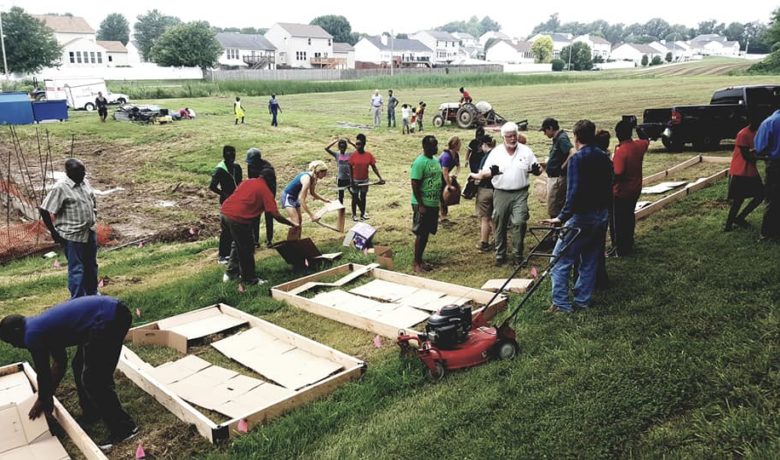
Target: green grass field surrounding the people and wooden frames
[(678, 358)]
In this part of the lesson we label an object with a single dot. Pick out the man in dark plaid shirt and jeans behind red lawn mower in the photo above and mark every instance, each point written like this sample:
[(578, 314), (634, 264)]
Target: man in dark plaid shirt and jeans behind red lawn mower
[(588, 196)]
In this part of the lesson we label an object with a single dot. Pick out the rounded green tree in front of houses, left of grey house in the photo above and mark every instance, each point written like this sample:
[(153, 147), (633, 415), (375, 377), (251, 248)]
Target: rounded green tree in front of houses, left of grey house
[(193, 44)]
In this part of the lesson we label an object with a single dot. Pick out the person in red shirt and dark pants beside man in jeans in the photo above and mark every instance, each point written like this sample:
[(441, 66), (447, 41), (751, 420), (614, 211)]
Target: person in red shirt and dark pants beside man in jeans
[(627, 187)]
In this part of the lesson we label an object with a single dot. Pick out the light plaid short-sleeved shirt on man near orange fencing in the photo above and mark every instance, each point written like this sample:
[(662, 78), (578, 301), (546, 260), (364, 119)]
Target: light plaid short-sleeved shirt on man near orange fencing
[(75, 208)]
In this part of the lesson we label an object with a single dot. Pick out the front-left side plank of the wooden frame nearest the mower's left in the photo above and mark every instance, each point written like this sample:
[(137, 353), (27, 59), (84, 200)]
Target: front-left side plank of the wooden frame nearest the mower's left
[(180, 408)]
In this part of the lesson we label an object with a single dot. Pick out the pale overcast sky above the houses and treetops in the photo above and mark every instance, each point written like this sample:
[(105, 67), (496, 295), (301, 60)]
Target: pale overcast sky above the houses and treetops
[(516, 18)]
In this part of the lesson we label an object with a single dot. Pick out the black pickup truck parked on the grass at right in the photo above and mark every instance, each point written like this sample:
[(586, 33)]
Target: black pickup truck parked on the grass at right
[(705, 125)]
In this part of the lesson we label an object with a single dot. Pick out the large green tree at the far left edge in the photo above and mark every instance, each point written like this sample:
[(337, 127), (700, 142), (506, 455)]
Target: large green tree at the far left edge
[(29, 44)]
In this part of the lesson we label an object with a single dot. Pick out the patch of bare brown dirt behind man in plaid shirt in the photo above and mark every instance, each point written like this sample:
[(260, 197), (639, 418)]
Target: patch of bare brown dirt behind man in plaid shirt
[(141, 211)]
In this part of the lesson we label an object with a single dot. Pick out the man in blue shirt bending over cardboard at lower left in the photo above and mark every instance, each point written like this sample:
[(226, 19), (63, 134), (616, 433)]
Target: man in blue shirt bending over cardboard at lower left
[(97, 325)]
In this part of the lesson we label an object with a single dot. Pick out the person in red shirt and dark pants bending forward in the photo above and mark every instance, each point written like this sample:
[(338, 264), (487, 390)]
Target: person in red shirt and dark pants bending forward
[(251, 198)]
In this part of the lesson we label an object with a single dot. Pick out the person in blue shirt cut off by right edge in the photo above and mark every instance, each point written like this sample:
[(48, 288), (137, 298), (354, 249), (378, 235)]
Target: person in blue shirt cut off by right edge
[(767, 144)]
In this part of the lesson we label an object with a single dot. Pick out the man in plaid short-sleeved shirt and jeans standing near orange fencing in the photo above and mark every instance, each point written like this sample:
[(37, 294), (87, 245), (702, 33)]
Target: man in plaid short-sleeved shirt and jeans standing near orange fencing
[(72, 202)]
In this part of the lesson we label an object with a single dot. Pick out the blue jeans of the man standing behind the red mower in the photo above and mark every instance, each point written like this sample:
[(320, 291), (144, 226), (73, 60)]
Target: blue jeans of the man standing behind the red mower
[(586, 249)]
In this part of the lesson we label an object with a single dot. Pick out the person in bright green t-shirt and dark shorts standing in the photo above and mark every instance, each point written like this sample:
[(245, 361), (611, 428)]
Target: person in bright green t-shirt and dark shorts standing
[(426, 187)]
